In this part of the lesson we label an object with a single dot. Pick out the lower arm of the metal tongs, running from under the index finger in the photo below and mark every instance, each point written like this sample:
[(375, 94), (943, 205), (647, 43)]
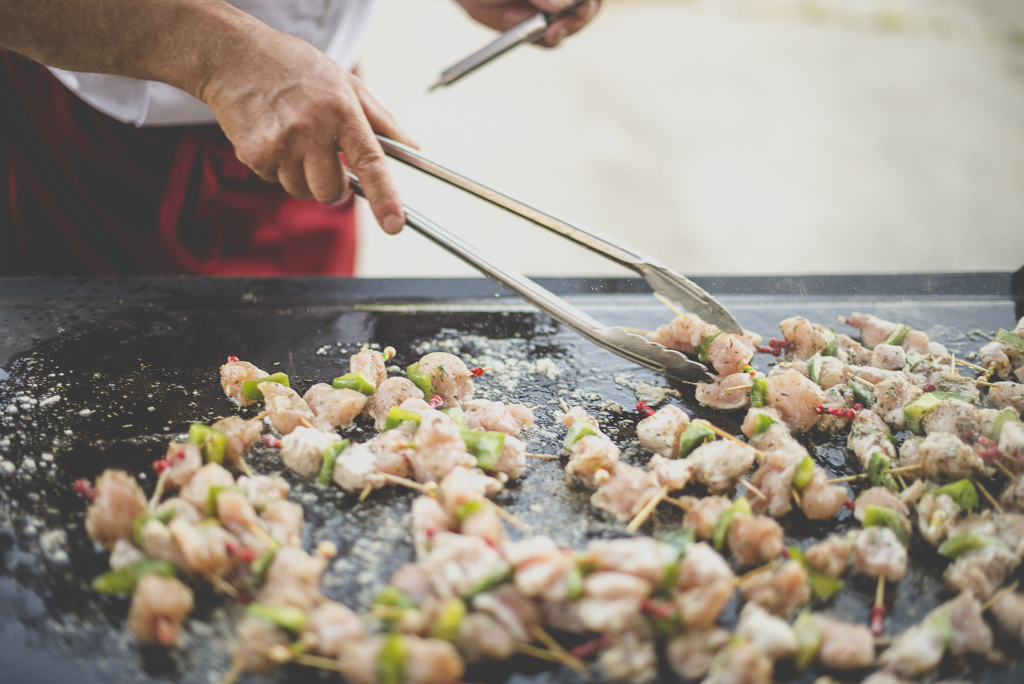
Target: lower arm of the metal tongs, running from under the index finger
[(633, 348)]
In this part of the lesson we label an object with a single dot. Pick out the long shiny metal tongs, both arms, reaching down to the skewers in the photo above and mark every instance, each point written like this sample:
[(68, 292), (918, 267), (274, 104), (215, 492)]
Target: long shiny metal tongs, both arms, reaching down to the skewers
[(662, 279)]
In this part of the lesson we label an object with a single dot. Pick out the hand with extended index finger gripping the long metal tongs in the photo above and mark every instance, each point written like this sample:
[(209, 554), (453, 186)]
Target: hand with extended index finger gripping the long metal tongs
[(289, 110)]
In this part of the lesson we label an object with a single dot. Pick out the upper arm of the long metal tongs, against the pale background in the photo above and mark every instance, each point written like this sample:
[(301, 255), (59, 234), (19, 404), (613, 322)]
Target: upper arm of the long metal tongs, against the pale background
[(663, 280)]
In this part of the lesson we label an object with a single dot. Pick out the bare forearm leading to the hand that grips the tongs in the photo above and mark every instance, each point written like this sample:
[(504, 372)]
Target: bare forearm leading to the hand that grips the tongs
[(181, 42)]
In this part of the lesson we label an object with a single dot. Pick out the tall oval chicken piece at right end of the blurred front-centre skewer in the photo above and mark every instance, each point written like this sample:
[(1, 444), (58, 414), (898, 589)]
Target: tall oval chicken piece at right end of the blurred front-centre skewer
[(704, 586)]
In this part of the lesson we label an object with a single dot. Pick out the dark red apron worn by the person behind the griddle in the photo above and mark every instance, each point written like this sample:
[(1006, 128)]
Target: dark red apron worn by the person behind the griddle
[(82, 194)]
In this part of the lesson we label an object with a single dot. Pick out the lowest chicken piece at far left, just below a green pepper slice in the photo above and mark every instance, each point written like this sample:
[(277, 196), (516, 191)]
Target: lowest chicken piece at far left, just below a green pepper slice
[(159, 608)]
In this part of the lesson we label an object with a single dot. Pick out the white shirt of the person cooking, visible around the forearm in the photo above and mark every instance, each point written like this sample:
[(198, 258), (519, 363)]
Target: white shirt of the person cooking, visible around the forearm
[(335, 27)]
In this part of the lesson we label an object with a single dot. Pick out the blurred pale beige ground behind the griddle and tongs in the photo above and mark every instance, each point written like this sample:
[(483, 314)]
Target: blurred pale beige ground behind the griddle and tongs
[(721, 137)]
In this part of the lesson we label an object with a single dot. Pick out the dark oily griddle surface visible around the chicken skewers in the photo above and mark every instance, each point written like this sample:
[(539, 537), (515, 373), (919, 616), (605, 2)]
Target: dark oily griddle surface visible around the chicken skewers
[(134, 362)]
